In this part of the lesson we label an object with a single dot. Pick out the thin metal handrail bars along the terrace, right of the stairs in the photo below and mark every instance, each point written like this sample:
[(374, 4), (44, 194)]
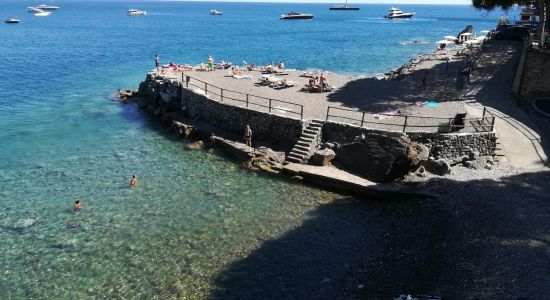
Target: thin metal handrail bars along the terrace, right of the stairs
[(487, 116)]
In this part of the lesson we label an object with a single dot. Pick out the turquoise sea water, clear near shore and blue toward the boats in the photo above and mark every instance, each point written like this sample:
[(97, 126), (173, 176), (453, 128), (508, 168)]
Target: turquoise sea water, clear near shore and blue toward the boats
[(198, 222)]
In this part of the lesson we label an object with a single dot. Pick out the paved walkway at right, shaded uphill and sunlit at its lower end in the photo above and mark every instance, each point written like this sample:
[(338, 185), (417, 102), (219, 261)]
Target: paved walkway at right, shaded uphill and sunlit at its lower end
[(490, 86)]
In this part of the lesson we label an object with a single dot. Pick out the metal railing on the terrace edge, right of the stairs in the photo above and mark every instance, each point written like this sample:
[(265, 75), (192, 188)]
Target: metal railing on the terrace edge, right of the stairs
[(406, 123)]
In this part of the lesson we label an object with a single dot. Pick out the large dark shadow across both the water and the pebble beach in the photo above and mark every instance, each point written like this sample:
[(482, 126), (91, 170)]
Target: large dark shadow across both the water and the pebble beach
[(481, 239)]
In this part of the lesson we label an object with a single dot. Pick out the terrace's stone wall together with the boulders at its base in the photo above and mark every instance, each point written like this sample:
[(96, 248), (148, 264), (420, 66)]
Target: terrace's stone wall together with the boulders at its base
[(379, 156)]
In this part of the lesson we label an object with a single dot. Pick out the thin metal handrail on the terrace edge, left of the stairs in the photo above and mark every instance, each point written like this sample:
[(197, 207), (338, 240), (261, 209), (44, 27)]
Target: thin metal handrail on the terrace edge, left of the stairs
[(270, 101)]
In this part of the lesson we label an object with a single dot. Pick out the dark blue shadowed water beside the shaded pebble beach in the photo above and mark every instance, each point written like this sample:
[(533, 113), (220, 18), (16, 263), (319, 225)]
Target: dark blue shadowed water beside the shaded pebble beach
[(323, 258)]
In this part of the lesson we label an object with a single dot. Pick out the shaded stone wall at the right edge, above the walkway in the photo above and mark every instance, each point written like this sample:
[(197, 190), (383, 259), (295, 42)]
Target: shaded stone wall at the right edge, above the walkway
[(535, 79)]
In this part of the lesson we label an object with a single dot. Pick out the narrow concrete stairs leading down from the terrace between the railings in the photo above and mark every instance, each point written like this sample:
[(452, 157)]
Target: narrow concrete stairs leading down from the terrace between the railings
[(307, 143)]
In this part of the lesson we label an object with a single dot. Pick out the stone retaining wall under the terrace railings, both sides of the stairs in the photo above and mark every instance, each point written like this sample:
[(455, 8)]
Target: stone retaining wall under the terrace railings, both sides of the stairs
[(165, 97)]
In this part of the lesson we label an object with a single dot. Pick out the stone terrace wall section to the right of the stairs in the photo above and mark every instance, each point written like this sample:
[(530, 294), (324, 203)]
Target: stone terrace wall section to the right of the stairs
[(452, 146)]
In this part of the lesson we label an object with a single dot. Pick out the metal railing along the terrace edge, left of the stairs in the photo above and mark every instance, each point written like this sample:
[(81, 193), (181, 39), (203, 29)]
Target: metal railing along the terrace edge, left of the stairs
[(250, 101)]
